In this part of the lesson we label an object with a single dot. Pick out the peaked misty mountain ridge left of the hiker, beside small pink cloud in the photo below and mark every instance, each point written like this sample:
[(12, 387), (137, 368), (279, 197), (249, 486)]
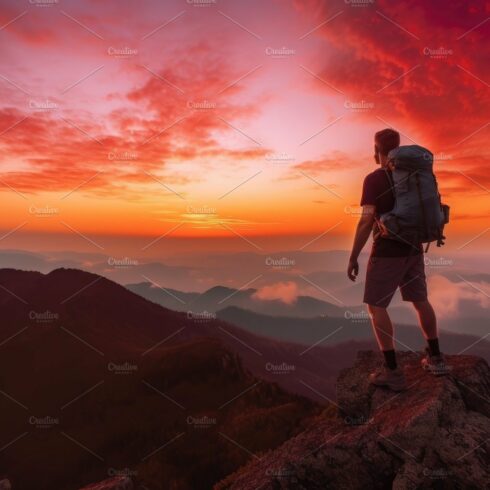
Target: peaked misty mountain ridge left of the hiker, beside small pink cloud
[(219, 297)]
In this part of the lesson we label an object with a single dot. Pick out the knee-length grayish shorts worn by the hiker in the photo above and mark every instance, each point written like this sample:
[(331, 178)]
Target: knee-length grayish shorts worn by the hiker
[(385, 275)]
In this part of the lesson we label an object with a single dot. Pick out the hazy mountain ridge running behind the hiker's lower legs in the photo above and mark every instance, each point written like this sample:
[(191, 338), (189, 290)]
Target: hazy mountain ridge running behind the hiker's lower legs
[(334, 331)]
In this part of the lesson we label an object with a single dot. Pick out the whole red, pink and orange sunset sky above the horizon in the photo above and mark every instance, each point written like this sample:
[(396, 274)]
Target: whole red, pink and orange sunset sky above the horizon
[(232, 119)]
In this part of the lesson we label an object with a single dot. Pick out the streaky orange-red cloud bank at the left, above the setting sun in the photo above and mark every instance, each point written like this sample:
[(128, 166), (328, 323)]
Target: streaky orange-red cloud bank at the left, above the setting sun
[(174, 114)]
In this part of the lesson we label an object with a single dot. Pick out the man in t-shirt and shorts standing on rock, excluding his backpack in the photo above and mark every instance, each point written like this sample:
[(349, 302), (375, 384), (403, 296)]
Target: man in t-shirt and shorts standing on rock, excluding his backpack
[(392, 264)]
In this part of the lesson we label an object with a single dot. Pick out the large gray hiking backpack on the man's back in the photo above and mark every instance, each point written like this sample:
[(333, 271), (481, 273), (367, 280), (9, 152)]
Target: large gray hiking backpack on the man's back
[(418, 215)]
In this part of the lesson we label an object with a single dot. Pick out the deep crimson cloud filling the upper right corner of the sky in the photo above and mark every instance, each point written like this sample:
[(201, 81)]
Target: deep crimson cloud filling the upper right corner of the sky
[(424, 64)]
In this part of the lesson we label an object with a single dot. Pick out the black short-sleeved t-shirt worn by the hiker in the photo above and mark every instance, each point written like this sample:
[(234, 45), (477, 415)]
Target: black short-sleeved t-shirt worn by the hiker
[(377, 191)]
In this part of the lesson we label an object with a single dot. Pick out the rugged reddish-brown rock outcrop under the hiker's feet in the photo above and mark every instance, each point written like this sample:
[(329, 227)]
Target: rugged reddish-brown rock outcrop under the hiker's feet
[(434, 435)]
